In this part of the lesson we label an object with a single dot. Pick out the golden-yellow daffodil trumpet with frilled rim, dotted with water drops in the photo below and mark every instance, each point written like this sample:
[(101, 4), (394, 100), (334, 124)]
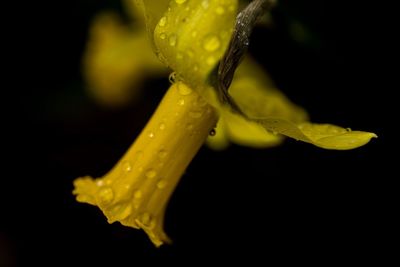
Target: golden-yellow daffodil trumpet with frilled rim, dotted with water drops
[(136, 191)]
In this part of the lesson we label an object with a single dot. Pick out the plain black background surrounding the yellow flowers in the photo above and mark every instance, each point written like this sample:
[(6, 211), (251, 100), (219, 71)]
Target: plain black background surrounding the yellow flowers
[(294, 203)]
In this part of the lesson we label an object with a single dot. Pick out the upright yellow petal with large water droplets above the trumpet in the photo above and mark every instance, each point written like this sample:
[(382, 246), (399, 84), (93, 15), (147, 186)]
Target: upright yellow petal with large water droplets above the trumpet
[(193, 35)]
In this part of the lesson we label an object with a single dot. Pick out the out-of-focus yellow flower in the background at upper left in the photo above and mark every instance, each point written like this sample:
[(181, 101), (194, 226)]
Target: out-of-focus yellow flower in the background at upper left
[(116, 60)]
